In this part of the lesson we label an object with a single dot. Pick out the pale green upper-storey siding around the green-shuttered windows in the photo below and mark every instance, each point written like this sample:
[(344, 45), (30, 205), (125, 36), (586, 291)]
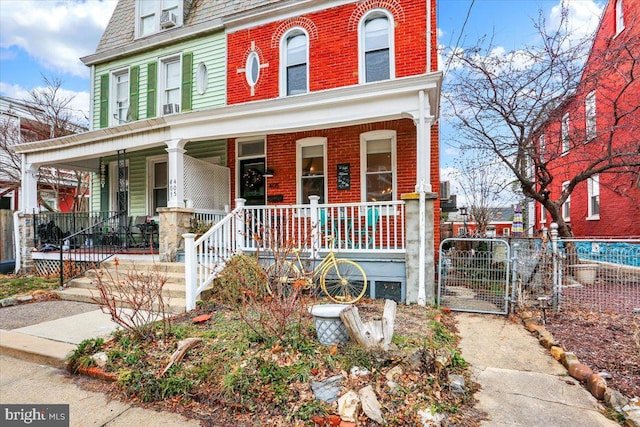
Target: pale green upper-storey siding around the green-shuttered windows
[(209, 49)]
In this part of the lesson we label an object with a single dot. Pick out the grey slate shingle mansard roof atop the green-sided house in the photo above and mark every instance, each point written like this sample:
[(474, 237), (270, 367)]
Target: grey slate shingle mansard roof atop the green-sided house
[(121, 28)]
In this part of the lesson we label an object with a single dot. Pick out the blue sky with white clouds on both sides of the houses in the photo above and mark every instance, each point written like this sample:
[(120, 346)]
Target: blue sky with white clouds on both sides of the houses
[(47, 37)]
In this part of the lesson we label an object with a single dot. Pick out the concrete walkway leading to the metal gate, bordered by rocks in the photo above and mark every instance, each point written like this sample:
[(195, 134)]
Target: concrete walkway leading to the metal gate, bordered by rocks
[(522, 385)]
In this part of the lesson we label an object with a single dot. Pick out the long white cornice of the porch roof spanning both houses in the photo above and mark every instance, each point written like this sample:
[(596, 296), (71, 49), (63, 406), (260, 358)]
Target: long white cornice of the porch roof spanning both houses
[(388, 100)]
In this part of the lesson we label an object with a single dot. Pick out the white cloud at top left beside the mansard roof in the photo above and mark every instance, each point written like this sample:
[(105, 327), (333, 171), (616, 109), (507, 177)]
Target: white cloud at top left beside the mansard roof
[(55, 33)]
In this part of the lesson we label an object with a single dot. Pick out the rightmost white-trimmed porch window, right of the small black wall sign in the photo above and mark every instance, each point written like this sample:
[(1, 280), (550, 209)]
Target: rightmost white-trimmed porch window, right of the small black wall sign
[(378, 165)]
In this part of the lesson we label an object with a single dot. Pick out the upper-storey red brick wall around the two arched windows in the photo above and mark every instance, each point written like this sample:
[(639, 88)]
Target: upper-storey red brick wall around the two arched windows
[(333, 48)]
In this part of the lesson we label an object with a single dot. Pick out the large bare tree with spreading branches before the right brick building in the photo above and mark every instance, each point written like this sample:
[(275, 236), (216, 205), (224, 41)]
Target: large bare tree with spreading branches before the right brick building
[(502, 100)]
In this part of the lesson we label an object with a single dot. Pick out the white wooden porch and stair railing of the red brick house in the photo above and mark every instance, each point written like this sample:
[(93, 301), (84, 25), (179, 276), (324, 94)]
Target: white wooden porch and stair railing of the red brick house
[(356, 227)]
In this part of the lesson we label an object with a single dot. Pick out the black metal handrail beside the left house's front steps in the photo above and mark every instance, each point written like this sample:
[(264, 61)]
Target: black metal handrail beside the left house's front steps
[(89, 247)]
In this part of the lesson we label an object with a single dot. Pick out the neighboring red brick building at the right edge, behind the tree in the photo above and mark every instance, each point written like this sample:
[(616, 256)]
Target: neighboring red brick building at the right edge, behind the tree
[(603, 116)]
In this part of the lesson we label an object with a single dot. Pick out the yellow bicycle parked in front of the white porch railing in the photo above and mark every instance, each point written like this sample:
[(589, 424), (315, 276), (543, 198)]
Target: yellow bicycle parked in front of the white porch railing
[(342, 280)]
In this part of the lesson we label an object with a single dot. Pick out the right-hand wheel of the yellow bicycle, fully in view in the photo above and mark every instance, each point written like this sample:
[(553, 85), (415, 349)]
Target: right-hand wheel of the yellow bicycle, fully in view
[(344, 282)]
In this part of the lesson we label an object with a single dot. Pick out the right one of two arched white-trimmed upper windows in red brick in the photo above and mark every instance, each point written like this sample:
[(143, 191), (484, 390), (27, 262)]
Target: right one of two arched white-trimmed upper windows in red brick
[(376, 47)]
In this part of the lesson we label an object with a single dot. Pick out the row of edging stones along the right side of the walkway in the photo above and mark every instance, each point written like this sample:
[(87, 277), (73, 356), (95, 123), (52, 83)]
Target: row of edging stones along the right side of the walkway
[(596, 384)]
